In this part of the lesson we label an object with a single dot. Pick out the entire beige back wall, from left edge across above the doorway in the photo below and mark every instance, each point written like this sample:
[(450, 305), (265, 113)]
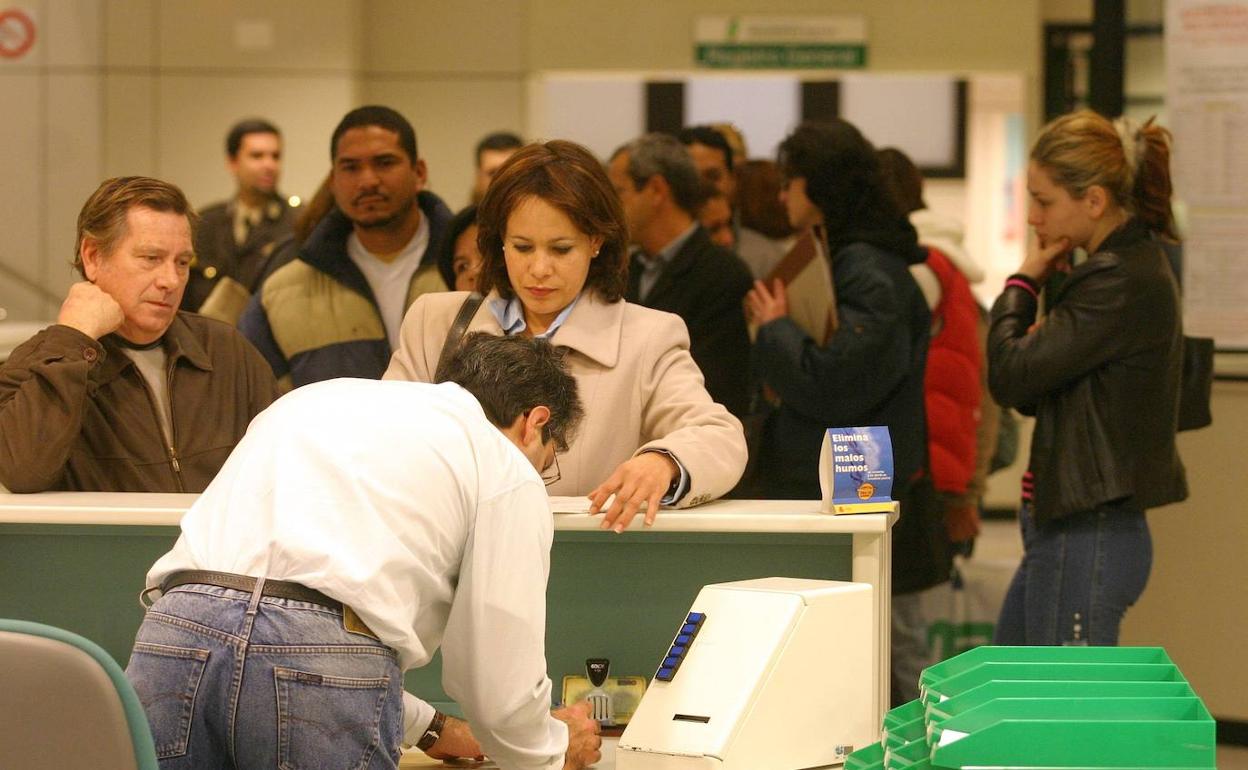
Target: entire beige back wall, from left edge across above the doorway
[(150, 87)]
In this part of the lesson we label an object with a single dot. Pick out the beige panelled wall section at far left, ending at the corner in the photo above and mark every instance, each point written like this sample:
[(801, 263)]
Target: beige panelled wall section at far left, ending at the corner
[(150, 88)]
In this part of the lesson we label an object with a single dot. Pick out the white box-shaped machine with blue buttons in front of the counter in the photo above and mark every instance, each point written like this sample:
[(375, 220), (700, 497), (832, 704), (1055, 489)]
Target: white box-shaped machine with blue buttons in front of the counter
[(769, 675)]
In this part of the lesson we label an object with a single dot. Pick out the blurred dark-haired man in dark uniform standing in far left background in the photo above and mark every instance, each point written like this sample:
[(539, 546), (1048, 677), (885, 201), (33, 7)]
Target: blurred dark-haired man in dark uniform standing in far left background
[(236, 245)]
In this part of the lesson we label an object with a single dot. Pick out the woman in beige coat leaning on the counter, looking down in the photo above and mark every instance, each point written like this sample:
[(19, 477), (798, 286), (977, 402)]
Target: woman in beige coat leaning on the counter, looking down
[(555, 244)]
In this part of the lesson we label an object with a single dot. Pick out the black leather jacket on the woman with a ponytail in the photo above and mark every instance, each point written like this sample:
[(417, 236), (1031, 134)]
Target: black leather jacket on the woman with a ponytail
[(1101, 375)]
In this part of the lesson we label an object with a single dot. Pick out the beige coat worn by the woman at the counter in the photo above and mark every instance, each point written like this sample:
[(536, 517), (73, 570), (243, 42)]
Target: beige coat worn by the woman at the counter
[(638, 384)]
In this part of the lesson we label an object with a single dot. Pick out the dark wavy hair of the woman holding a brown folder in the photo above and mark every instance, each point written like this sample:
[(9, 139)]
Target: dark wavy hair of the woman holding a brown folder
[(843, 179)]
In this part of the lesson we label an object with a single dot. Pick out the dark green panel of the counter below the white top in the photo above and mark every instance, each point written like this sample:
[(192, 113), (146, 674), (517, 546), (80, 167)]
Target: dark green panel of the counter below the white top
[(617, 597)]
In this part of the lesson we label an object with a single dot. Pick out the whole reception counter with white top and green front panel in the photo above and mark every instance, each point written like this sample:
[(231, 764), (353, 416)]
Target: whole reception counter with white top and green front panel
[(78, 561)]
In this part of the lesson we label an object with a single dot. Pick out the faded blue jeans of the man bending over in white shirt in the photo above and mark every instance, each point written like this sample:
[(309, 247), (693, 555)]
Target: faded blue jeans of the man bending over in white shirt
[(230, 680)]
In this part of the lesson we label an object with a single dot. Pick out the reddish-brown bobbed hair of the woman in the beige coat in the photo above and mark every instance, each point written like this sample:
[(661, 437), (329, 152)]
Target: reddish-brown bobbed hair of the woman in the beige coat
[(571, 179)]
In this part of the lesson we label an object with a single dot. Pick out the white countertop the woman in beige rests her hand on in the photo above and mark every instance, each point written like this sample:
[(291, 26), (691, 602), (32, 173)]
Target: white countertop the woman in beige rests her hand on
[(129, 509)]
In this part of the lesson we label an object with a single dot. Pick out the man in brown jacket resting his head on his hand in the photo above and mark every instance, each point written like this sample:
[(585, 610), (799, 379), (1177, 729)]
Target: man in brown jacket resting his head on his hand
[(125, 394)]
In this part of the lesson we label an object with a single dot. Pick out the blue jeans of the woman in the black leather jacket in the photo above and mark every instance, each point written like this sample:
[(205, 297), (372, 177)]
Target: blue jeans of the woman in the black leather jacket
[(1078, 578)]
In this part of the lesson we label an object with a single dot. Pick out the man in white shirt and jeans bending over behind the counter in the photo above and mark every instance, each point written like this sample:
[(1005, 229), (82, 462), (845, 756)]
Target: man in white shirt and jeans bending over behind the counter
[(359, 526)]
